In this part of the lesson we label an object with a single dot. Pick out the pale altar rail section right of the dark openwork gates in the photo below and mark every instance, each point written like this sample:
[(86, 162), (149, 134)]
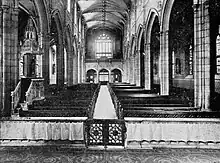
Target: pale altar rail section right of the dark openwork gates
[(173, 132)]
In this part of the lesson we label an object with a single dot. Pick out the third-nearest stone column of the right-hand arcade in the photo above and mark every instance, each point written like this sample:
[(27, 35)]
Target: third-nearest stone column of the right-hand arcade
[(147, 68)]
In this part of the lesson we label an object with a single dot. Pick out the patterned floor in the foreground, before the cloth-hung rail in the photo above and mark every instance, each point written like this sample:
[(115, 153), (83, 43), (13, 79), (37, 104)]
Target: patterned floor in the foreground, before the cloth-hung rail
[(55, 154)]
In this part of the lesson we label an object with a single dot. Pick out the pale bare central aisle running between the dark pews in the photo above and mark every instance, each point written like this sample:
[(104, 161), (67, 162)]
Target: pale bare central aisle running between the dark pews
[(104, 108)]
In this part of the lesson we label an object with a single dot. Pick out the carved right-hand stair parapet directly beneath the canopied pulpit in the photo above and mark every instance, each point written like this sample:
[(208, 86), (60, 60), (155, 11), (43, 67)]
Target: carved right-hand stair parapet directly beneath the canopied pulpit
[(35, 91)]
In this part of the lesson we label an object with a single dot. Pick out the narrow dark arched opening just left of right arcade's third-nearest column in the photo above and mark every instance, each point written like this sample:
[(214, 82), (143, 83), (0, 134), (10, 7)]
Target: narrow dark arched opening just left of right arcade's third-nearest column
[(142, 62)]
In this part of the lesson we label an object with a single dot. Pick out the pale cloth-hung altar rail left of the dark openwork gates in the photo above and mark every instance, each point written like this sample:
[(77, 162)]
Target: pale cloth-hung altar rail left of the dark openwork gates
[(42, 130)]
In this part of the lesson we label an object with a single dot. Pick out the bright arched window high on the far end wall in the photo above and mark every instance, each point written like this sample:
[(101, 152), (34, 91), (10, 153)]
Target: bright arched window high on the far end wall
[(103, 46)]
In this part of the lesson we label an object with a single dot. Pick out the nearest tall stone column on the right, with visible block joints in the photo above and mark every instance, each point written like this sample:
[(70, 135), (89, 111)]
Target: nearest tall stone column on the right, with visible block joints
[(202, 69)]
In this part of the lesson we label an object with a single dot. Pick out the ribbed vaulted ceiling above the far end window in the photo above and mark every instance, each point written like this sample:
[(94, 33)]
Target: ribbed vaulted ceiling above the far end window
[(107, 14)]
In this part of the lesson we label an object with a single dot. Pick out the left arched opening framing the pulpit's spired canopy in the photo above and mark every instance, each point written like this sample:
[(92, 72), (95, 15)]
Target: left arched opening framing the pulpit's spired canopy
[(30, 58)]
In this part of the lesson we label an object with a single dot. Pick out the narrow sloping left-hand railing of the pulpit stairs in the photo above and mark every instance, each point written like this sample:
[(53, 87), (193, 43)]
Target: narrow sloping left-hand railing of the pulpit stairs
[(15, 97)]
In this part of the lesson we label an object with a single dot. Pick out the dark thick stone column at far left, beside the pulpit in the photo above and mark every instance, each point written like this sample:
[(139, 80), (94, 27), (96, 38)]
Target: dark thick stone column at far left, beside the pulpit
[(9, 60)]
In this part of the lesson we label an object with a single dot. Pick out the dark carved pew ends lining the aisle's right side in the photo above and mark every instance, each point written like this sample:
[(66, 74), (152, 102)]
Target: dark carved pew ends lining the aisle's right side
[(116, 102)]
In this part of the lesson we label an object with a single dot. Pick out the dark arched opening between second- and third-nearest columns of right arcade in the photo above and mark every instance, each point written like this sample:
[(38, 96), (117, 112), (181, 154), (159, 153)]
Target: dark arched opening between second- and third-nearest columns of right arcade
[(155, 53)]
